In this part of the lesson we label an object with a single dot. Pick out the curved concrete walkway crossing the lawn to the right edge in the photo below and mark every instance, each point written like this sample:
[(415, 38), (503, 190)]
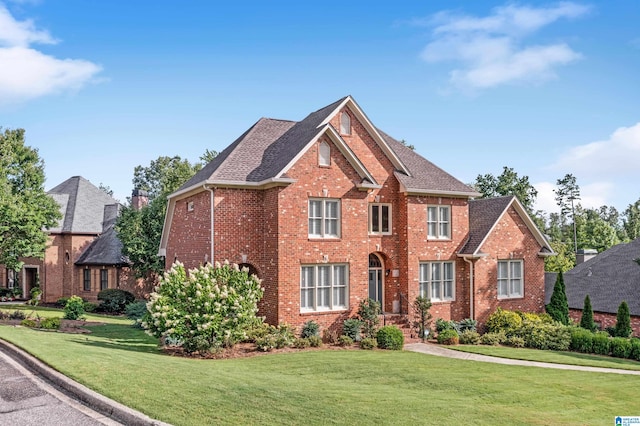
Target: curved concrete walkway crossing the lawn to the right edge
[(431, 349)]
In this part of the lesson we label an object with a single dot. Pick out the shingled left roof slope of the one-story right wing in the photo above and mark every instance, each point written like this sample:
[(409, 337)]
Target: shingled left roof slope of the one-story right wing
[(483, 215)]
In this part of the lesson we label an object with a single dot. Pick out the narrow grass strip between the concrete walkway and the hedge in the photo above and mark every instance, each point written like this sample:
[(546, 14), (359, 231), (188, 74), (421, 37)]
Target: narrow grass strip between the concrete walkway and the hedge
[(555, 357)]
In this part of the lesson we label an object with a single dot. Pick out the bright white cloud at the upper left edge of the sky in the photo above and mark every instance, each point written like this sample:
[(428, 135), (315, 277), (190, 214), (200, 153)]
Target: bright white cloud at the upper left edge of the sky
[(26, 73)]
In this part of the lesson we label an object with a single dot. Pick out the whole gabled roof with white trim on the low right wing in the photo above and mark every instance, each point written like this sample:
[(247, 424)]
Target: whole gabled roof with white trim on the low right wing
[(484, 215)]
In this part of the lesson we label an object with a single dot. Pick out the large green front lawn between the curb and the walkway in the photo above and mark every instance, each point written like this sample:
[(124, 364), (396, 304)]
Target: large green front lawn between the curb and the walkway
[(326, 387)]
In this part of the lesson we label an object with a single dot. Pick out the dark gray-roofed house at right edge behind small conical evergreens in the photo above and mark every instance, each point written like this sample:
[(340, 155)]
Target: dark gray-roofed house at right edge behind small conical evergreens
[(608, 278)]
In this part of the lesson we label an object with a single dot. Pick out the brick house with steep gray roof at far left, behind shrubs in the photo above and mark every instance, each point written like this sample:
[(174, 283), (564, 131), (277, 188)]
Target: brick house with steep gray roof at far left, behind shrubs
[(83, 255)]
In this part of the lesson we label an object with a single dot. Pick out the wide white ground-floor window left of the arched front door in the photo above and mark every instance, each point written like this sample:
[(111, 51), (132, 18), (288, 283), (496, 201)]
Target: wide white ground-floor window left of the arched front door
[(324, 287)]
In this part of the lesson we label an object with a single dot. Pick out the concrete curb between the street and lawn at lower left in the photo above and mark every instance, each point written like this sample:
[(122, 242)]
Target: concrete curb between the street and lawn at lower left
[(86, 396)]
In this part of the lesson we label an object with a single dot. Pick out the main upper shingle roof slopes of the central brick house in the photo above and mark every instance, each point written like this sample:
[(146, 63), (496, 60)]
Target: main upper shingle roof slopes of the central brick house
[(264, 150)]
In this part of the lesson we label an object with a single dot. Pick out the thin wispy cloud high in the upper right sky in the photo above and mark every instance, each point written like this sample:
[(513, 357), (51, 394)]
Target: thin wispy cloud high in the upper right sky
[(491, 50)]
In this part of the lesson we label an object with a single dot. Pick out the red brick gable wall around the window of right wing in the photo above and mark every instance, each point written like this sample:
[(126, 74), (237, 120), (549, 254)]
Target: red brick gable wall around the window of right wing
[(510, 239)]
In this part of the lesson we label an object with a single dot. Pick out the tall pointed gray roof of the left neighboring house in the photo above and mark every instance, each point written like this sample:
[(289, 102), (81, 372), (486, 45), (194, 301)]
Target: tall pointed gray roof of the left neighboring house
[(82, 205)]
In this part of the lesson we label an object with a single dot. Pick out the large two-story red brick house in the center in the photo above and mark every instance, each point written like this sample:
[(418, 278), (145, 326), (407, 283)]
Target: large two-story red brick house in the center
[(330, 210)]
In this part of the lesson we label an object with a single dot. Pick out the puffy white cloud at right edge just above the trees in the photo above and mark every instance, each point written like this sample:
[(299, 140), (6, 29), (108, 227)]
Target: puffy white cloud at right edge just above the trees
[(618, 156)]
